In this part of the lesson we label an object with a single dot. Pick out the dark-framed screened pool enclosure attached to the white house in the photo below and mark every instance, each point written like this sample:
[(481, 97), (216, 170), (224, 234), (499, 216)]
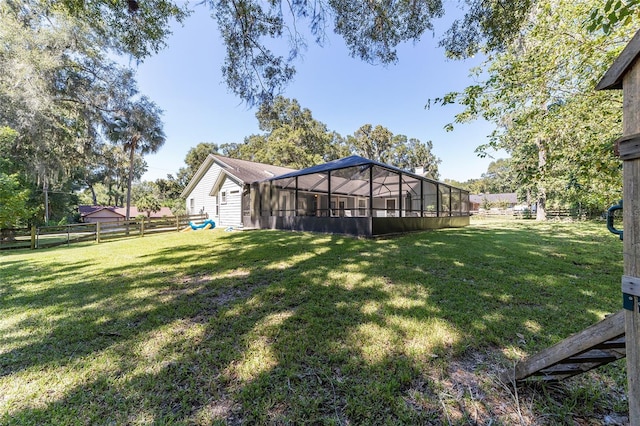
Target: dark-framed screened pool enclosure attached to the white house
[(356, 196)]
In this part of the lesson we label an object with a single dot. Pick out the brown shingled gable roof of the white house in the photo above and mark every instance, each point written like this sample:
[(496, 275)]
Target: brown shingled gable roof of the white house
[(242, 171)]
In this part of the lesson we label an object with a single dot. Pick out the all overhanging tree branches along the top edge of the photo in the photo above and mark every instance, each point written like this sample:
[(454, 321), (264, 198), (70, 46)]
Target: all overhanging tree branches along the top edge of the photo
[(257, 67)]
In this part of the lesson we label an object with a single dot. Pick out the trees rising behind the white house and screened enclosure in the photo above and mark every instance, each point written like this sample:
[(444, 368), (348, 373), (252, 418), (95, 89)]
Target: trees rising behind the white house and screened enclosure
[(292, 138)]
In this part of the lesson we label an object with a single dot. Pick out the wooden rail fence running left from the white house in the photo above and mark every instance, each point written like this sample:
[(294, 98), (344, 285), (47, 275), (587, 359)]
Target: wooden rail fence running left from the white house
[(50, 236)]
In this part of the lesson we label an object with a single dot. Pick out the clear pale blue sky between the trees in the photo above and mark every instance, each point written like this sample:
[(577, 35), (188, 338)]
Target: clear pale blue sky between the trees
[(185, 80)]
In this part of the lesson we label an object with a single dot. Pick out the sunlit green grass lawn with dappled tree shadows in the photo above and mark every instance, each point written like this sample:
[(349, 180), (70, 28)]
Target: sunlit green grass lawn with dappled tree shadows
[(273, 327)]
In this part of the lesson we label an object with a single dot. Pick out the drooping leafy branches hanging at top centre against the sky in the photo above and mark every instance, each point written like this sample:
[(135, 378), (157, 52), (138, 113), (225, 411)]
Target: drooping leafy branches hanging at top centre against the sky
[(371, 32)]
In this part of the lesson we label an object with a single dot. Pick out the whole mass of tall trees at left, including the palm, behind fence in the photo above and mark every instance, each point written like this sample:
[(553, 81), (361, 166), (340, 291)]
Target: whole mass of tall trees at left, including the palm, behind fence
[(70, 116)]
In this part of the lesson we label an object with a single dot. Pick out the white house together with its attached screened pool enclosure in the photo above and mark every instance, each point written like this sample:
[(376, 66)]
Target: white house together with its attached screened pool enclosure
[(352, 195)]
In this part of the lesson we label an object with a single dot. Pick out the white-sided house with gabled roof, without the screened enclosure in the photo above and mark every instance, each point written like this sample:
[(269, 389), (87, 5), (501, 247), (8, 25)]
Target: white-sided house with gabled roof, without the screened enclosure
[(220, 188)]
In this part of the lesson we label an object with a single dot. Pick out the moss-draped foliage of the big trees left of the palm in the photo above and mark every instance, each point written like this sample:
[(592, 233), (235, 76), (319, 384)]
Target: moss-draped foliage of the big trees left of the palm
[(61, 91)]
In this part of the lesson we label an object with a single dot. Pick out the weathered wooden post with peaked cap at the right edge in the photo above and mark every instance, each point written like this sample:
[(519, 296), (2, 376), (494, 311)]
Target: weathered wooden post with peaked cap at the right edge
[(625, 74)]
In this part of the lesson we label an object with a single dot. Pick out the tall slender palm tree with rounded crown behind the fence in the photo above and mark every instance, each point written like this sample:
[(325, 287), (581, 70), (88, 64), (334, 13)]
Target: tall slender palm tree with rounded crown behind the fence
[(138, 127)]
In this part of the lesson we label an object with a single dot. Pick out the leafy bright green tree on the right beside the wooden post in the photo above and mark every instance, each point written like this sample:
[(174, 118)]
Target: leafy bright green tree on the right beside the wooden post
[(540, 93)]
